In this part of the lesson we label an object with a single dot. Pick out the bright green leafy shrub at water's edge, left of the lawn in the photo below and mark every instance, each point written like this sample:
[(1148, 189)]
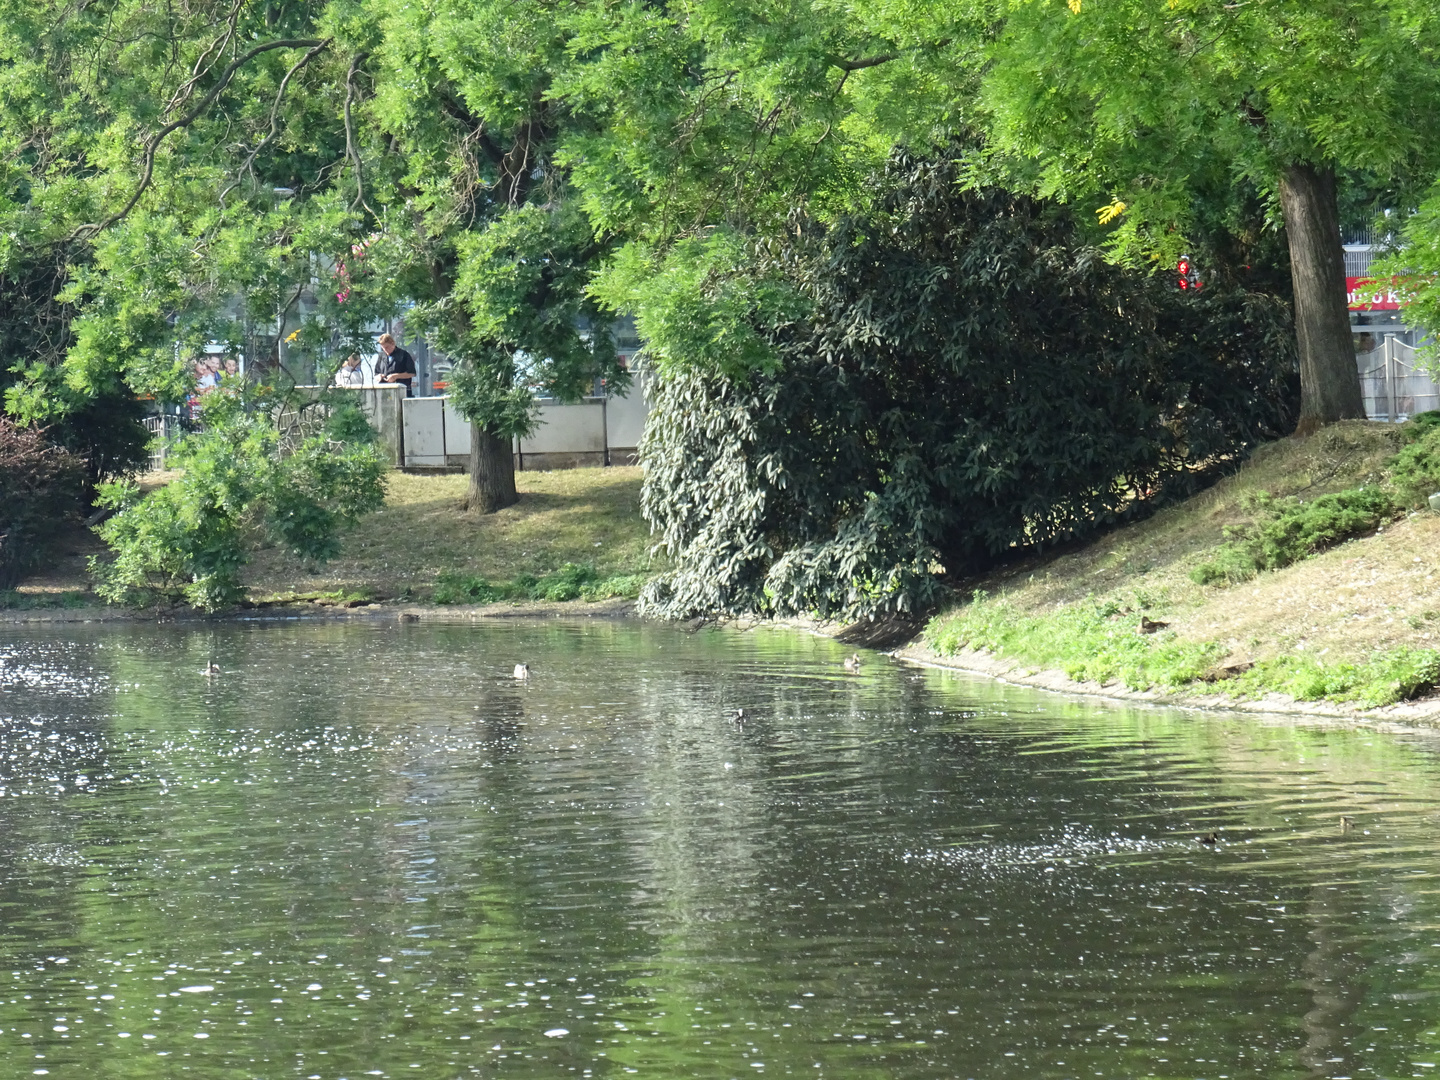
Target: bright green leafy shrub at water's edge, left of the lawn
[(188, 541)]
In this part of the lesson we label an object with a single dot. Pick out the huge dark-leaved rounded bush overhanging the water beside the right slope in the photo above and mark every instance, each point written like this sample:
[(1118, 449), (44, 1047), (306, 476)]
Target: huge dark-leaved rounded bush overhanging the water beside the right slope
[(968, 382)]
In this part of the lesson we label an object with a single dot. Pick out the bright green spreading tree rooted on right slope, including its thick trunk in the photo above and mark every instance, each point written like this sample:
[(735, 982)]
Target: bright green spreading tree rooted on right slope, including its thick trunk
[(1148, 113)]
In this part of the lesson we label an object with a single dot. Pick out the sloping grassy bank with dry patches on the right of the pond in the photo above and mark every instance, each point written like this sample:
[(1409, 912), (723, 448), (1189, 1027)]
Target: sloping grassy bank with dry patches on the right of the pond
[(1187, 601)]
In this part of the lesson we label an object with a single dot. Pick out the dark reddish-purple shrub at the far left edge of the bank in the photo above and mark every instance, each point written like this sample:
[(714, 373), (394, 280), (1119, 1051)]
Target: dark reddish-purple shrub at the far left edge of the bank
[(40, 493)]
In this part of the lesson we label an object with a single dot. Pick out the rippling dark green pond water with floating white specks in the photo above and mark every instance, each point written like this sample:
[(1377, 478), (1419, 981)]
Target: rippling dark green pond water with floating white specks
[(368, 850)]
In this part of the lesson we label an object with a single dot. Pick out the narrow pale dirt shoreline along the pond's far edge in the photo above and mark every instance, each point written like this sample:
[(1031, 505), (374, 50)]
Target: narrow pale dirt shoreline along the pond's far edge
[(1406, 716)]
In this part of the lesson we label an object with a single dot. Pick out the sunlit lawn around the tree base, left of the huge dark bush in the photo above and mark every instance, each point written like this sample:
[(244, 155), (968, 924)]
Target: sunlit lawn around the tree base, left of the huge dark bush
[(587, 518)]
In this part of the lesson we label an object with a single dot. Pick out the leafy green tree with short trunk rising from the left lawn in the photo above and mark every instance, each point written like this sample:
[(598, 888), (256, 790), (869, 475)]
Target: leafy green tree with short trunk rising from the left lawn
[(496, 250)]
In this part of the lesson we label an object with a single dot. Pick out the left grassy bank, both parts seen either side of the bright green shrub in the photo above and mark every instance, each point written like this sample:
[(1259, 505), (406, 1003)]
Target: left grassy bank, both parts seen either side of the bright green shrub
[(577, 535)]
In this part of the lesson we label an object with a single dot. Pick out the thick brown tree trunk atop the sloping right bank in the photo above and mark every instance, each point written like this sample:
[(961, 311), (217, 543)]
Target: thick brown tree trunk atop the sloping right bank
[(1330, 381)]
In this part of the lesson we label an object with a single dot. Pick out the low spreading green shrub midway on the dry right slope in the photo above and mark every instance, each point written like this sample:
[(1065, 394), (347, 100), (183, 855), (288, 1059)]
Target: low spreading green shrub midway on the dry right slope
[(1290, 531)]
